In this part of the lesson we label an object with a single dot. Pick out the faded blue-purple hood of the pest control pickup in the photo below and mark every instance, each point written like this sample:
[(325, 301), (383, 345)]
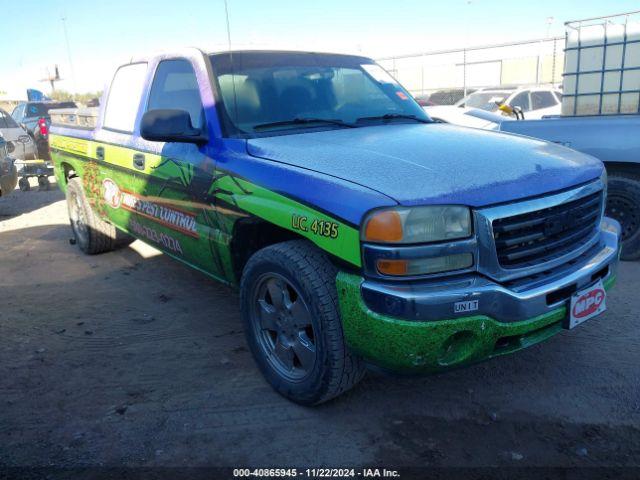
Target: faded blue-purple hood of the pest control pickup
[(434, 163)]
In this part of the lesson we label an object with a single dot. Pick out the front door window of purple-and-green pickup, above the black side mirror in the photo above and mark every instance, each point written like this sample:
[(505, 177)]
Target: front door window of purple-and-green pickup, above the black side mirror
[(175, 87)]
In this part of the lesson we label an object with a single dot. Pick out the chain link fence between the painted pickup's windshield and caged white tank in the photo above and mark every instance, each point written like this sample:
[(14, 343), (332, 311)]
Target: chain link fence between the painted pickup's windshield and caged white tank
[(529, 62)]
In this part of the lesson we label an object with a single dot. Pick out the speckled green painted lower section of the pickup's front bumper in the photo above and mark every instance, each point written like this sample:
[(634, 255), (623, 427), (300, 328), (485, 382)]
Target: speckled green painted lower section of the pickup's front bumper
[(410, 346)]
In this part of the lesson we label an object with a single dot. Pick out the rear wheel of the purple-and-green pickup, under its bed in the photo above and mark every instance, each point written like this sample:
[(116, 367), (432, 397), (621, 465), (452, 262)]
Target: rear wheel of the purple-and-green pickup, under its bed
[(92, 234)]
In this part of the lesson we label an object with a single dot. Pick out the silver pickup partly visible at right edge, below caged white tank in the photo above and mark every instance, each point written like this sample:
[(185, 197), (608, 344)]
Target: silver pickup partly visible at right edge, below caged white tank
[(613, 139)]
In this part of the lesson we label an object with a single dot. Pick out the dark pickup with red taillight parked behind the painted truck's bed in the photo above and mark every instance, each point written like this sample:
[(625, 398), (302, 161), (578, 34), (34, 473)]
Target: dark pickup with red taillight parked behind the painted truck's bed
[(34, 118)]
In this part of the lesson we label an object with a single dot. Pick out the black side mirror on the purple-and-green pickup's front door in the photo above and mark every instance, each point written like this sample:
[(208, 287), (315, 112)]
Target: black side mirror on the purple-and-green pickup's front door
[(168, 125)]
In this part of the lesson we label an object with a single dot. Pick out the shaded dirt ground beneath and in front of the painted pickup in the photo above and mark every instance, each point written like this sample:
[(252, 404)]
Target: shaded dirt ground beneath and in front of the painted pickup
[(131, 359)]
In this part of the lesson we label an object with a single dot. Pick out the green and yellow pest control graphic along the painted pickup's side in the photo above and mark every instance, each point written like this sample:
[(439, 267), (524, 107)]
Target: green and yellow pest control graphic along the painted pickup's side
[(158, 201)]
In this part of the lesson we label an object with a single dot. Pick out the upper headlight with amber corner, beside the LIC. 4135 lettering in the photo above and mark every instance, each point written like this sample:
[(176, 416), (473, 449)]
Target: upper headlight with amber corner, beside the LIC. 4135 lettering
[(403, 225)]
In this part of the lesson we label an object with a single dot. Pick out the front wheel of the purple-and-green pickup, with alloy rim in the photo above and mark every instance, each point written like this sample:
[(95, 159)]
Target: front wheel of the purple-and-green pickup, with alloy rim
[(290, 311)]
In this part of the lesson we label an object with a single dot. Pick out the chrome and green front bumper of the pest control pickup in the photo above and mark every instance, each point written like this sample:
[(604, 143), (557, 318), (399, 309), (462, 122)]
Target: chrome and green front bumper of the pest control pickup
[(414, 327)]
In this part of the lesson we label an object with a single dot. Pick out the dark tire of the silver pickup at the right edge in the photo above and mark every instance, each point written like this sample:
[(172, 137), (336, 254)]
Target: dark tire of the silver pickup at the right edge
[(623, 204)]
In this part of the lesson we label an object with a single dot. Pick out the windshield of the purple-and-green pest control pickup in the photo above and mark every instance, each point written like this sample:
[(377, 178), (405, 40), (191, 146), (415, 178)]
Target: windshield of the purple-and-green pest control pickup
[(280, 92)]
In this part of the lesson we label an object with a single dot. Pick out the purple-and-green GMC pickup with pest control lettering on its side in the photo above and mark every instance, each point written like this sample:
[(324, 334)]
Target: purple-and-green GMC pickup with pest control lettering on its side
[(358, 231)]
